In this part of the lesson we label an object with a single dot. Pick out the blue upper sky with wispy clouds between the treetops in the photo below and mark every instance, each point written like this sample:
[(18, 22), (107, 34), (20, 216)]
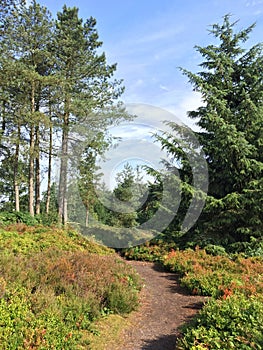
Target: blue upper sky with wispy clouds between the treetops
[(150, 39)]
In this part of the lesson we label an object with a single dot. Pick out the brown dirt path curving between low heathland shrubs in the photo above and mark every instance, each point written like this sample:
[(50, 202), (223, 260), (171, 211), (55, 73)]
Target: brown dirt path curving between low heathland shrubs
[(165, 306)]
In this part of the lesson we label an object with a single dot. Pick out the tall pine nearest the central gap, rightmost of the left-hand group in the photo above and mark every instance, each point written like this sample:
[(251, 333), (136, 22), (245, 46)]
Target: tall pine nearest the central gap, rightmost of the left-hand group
[(86, 82)]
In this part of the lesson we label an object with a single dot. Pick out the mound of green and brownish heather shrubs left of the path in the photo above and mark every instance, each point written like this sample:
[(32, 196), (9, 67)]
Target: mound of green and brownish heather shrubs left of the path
[(54, 284)]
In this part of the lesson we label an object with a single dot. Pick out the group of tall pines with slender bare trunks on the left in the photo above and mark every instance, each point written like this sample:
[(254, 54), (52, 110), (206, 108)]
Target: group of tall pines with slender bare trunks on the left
[(53, 76)]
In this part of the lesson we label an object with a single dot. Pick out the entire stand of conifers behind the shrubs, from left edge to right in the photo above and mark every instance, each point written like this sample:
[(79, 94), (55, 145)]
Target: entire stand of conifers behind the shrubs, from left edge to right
[(55, 83)]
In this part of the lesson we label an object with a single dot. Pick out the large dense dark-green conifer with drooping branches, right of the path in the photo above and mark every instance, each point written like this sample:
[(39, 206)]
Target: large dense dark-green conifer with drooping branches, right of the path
[(230, 118)]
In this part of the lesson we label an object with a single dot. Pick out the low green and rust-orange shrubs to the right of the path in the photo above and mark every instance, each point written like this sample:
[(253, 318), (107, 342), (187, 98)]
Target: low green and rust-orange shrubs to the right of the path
[(232, 318)]
